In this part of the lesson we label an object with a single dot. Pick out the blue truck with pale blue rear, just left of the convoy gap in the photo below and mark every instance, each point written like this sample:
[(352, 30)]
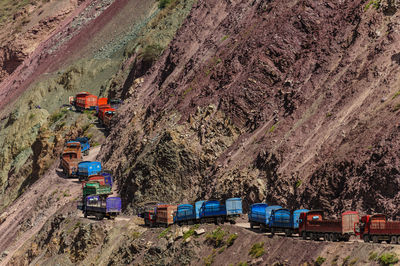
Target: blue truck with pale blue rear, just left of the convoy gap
[(215, 211)]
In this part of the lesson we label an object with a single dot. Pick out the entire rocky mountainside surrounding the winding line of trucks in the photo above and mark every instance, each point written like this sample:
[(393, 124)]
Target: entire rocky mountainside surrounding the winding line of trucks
[(291, 102)]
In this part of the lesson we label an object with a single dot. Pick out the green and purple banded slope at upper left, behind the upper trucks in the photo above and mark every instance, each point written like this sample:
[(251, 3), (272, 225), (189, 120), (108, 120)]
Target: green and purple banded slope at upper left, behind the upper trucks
[(90, 50)]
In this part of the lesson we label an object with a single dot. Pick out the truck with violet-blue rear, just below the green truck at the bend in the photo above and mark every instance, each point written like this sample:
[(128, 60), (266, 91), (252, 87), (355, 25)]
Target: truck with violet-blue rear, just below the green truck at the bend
[(101, 207)]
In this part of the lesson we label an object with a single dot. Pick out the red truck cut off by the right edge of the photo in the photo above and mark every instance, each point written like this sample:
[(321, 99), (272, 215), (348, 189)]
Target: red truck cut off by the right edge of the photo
[(377, 228)]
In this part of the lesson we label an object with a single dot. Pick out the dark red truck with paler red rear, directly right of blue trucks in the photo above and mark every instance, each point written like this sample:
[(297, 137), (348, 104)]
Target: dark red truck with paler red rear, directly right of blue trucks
[(314, 226)]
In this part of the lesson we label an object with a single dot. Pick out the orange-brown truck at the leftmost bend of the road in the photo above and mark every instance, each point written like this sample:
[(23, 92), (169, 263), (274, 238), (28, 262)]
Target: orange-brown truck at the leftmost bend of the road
[(70, 158)]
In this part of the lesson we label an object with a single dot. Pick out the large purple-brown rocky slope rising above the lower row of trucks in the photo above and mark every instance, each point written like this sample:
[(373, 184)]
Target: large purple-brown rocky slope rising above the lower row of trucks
[(289, 102)]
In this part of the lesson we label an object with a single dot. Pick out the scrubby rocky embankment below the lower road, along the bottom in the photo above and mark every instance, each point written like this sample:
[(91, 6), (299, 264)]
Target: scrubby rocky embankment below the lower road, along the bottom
[(70, 240)]
